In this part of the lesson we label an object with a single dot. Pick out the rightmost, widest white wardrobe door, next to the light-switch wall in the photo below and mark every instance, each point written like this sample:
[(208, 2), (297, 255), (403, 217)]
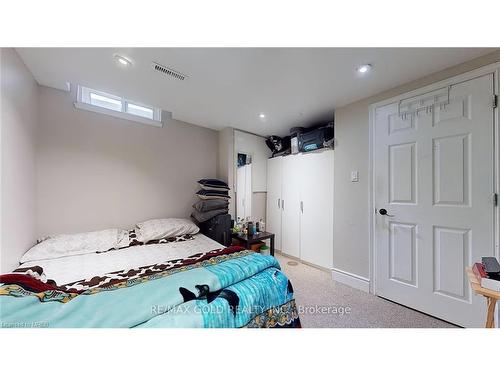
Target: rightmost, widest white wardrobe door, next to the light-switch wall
[(316, 213)]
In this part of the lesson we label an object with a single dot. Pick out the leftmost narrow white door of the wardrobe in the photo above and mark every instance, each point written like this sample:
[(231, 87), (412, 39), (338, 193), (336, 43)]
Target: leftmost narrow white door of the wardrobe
[(273, 207)]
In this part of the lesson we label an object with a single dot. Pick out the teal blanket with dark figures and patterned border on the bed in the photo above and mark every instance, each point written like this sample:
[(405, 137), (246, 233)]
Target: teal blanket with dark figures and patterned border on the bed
[(262, 292)]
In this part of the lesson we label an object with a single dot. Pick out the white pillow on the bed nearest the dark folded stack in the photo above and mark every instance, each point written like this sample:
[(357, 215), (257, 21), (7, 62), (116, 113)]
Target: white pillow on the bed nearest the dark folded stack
[(163, 228)]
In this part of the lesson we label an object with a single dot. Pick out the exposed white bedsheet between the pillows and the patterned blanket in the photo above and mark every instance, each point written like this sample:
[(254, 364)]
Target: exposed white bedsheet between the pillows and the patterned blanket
[(78, 267)]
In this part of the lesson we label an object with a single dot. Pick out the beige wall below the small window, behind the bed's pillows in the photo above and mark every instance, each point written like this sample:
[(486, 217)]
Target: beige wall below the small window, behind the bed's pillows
[(96, 171)]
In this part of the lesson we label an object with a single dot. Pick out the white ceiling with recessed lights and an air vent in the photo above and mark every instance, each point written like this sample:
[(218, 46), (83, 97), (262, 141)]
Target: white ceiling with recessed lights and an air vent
[(232, 86)]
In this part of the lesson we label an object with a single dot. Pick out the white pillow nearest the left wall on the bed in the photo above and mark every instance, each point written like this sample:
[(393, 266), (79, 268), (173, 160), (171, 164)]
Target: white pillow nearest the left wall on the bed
[(62, 245)]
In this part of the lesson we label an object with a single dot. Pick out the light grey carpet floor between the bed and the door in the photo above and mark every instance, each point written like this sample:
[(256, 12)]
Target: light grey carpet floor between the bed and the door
[(324, 303)]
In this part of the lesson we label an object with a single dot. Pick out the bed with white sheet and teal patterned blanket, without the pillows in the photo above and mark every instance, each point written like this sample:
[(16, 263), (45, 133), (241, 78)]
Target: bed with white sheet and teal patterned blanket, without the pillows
[(192, 283)]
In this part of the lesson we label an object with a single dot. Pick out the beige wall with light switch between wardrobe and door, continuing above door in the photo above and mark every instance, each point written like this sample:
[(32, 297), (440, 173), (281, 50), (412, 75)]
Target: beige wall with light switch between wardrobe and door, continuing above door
[(351, 213)]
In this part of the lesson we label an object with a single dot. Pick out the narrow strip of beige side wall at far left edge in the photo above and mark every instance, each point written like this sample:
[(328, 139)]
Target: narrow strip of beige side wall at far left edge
[(19, 113)]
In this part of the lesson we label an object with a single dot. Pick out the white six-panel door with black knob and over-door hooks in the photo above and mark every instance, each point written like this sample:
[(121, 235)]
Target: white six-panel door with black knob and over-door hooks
[(434, 176)]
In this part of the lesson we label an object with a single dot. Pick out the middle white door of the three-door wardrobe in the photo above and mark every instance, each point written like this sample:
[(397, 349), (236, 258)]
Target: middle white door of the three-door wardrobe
[(290, 206)]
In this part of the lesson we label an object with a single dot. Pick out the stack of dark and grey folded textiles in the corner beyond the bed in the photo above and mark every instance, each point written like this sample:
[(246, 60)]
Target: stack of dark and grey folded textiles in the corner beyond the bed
[(214, 200)]
